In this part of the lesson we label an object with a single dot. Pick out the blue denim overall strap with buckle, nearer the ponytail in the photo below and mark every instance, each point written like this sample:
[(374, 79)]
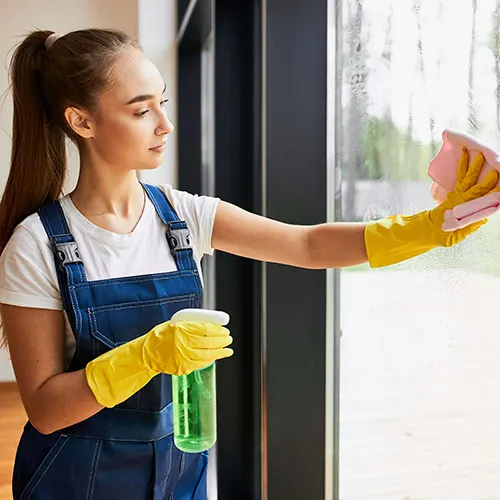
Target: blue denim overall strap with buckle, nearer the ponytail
[(69, 265)]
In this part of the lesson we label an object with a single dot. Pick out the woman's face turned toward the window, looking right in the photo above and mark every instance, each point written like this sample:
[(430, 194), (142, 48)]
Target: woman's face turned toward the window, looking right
[(130, 127)]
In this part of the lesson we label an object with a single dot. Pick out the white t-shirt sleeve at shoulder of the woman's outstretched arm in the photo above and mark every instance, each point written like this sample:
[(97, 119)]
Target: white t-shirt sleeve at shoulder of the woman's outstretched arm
[(199, 214)]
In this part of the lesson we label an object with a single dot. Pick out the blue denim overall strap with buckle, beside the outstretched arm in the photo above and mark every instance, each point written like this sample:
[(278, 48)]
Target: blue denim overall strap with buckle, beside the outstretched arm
[(177, 232)]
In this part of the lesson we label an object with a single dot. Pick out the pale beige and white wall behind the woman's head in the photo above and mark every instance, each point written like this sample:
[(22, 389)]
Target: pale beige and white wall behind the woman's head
[(152, 21)]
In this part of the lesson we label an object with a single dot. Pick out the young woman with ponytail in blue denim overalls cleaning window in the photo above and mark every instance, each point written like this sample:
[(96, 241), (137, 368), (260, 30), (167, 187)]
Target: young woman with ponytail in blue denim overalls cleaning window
[(120, 258)]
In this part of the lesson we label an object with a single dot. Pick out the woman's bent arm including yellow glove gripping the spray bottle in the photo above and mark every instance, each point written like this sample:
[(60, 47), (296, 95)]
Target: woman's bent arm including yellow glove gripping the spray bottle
[(55, 399)]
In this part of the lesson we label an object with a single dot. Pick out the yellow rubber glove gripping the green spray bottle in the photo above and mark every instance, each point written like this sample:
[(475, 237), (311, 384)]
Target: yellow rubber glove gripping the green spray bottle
[(173, 348)]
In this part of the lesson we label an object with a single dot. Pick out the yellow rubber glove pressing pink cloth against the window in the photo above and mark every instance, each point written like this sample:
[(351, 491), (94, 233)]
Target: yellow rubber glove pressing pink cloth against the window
[(400, 237)]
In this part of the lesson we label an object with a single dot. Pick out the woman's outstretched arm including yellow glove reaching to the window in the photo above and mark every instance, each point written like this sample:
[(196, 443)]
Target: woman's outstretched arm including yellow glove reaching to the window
[(339, 244)]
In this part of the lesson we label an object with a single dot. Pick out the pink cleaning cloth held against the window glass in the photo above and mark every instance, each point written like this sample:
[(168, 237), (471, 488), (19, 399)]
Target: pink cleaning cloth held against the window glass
[(443, 171)]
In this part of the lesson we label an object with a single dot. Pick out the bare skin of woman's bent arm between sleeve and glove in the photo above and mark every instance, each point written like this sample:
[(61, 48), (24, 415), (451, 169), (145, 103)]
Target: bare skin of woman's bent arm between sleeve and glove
[(52, 398)]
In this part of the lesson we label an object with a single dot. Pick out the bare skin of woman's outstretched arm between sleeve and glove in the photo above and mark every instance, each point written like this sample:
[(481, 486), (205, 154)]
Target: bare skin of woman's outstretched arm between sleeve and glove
[(321, 246)]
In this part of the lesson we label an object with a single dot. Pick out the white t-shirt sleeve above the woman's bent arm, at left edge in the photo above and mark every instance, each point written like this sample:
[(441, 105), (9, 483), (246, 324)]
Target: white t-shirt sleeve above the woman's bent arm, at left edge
[(27, 273)]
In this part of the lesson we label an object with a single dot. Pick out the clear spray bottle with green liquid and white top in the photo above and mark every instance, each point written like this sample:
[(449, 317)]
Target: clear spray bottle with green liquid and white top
[(194, 395)]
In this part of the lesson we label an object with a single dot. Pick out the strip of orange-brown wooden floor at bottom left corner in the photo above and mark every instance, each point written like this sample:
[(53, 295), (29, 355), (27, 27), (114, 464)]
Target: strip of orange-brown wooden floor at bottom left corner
[(12, 420)]
